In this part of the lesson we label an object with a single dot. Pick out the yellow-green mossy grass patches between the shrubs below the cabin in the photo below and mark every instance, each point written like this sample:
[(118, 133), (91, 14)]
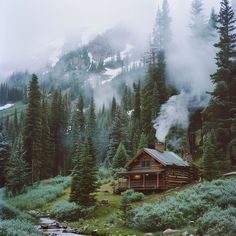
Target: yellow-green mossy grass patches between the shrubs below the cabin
[(105, 218)]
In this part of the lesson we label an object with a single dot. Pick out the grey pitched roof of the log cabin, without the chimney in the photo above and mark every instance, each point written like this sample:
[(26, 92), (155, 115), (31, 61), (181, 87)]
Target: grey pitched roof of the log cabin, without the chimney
[(166, 158)]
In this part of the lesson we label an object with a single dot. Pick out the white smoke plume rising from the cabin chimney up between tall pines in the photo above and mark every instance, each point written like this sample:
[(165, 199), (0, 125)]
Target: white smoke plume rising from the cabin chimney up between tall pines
[(190, 62)]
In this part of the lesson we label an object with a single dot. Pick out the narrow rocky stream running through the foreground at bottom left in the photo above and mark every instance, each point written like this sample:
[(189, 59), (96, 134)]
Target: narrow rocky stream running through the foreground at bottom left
[(53, 228)]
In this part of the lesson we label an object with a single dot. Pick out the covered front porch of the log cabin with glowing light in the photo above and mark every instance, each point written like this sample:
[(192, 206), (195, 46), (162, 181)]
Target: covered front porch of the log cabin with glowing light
[(140, 180)]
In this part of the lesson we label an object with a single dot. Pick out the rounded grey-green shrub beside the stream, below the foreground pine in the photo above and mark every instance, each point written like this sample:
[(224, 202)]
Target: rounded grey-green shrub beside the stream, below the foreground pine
[(65, 210)]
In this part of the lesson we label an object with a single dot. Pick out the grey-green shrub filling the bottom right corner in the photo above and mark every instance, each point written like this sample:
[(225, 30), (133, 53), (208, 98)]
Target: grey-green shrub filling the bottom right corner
[(217, 222)]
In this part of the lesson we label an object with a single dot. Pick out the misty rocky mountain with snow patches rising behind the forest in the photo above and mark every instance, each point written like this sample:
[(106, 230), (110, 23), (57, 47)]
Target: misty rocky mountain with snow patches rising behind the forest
[(107, 61)]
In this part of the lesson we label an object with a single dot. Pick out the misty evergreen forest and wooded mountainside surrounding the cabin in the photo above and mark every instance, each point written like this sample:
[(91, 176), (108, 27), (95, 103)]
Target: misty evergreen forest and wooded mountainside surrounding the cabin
[(63, 131)]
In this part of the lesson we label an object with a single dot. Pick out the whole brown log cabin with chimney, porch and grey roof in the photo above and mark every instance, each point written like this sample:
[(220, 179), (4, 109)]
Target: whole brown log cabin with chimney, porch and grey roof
[(156, 169)]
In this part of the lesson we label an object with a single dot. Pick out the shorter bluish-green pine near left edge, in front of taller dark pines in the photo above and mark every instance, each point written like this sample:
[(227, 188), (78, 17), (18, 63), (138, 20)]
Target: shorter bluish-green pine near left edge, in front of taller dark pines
[(17, 170)]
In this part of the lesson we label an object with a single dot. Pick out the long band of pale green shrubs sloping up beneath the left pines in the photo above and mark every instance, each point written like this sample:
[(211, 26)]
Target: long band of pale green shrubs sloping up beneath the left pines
[(38, 195)]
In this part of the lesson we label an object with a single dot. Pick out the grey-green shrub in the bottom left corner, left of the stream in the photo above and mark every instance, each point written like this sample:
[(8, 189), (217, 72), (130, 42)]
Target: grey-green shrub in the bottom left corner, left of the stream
[(17, 228)]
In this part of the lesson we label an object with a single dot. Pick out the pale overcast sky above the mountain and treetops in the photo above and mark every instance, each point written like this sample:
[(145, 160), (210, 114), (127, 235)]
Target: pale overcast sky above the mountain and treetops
[(32, 32)]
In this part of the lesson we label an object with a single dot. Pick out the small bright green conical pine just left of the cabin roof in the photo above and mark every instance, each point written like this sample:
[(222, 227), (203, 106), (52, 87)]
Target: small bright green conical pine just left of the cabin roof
[(121, 157)]
